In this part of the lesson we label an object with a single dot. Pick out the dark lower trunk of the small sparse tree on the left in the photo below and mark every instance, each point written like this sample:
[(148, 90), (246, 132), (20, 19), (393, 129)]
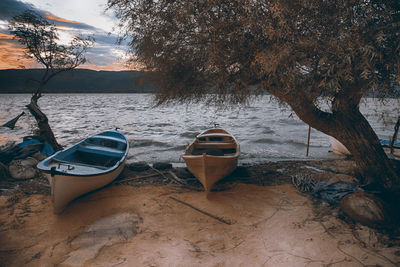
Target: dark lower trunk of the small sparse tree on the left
[(45, 131)]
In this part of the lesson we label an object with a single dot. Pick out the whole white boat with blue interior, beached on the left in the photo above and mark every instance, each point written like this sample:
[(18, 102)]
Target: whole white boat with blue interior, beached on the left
[(88, 165)]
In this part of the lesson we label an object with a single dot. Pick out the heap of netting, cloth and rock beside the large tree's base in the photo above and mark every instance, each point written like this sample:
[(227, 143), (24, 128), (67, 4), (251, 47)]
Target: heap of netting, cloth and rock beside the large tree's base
[(342, 194)]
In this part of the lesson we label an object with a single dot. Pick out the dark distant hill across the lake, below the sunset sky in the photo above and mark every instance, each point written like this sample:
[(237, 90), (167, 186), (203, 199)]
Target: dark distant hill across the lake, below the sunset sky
[(76, 81)]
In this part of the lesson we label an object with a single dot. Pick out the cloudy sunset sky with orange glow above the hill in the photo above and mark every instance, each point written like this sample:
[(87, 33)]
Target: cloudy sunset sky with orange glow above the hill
[(72, 17)]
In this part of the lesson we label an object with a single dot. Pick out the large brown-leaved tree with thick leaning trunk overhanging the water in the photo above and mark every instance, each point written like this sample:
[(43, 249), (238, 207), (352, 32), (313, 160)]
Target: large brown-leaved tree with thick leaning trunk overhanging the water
[(302, 52)]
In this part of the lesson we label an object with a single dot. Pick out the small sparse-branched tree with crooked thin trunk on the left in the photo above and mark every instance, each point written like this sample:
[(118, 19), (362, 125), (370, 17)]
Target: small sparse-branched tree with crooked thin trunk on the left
[(42, 43)]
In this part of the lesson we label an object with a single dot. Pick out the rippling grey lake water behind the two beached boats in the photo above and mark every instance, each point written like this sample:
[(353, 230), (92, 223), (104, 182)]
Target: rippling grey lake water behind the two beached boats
[(265, 131)]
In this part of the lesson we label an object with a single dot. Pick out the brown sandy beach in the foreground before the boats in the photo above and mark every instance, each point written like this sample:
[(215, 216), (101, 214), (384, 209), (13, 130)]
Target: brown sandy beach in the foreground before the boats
[(125, 225)]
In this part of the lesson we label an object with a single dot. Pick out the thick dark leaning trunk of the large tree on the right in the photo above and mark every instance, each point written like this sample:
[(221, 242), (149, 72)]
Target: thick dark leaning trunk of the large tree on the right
[(351, 128)]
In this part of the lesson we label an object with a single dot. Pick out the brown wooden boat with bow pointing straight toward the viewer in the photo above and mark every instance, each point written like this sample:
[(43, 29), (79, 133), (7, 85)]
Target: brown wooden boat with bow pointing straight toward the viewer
[(212, 156)]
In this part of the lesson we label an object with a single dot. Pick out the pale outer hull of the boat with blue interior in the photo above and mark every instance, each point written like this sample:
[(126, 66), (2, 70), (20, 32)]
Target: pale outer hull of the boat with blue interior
[(65, 188)]
